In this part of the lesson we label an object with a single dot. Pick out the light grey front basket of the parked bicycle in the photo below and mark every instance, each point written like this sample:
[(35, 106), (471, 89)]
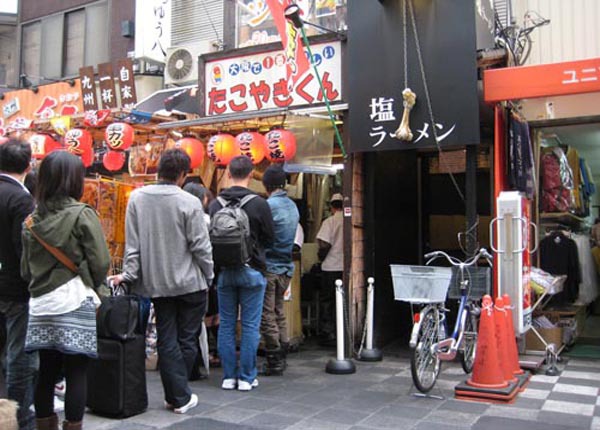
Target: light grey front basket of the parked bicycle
[(420, 284)]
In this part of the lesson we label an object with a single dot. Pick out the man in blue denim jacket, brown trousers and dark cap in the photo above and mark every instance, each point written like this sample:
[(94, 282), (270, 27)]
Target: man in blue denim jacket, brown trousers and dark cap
[(280, 269)]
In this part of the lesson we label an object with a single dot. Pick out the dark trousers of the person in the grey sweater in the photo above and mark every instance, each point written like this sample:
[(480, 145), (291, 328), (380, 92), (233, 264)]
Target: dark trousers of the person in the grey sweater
[(177, 321)]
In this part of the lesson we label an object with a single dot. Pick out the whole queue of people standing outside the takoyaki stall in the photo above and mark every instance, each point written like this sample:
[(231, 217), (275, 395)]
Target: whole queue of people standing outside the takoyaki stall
[(54, 262)]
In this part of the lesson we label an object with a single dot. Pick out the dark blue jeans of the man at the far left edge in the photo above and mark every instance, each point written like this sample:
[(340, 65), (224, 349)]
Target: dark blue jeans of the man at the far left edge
[(21, 367)]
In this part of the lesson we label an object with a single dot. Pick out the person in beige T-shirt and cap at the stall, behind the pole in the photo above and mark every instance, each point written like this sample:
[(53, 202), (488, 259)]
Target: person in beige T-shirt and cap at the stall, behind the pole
[(331, 252)]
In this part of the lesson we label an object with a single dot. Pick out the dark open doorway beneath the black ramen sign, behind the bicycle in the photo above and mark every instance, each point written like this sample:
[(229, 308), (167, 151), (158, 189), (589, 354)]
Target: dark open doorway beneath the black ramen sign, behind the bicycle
[(412, 207)]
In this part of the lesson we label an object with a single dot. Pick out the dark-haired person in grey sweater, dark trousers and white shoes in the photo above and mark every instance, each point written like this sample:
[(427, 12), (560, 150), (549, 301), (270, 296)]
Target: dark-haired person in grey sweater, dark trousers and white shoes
[(168, 257)]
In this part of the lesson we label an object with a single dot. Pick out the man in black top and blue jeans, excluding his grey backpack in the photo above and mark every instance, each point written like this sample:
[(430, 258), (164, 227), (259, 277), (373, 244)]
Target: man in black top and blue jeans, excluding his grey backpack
[(244, 286)]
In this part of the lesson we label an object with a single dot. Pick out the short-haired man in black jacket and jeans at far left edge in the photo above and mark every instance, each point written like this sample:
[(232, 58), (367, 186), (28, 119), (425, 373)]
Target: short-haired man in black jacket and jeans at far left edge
[(16, 203)]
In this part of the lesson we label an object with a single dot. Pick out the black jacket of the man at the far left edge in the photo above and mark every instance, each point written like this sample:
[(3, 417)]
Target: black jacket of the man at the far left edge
[(15, 205)]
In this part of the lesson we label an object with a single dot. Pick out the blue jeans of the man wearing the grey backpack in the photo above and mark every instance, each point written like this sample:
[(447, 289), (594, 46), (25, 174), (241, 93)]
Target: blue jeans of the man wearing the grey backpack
[(243, 287)]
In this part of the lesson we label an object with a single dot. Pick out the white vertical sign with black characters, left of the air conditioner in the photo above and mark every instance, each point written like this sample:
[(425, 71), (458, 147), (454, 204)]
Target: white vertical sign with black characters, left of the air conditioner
[(152, 29)]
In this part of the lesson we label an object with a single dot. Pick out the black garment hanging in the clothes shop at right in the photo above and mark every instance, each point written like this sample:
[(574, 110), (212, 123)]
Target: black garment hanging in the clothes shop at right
[(559, 256)]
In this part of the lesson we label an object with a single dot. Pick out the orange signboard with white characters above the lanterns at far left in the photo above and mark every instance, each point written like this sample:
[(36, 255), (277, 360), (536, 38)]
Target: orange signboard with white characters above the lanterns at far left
[(21, 107)]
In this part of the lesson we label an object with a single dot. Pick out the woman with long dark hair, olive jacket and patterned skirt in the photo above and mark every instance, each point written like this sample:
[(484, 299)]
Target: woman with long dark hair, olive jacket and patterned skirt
[(62, 308)]
